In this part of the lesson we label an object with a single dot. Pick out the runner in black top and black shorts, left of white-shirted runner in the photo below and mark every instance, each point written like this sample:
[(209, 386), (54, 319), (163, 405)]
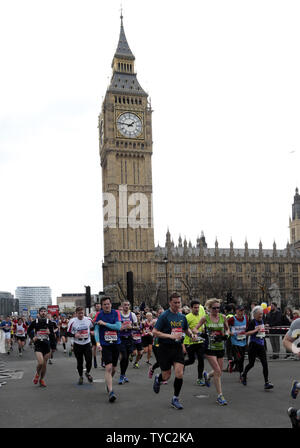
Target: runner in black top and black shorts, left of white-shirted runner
[(41, 329)]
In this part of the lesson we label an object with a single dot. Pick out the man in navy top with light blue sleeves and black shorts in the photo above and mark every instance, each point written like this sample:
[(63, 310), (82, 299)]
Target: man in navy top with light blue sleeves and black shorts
[(107, 335)]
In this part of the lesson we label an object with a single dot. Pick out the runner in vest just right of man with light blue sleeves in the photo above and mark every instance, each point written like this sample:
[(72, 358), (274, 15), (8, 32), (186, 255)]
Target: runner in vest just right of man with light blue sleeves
[(128, 320)]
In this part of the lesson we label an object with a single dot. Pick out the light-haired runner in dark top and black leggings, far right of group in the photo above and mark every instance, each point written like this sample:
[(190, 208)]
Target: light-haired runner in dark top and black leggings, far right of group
[(256, 331)]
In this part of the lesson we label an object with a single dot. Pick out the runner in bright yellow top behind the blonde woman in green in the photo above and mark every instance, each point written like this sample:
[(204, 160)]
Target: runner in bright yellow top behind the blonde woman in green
[(195, 347)]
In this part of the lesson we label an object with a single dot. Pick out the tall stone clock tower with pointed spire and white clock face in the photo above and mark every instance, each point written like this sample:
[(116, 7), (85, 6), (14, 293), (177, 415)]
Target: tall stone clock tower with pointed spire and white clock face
[(125, 139)]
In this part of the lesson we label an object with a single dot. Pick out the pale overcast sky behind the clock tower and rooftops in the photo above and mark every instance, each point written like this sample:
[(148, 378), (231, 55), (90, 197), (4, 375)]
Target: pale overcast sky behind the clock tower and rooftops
[(223, 77)]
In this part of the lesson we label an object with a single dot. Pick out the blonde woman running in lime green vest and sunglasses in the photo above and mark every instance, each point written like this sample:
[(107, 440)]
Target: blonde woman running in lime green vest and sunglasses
[(215, 327)]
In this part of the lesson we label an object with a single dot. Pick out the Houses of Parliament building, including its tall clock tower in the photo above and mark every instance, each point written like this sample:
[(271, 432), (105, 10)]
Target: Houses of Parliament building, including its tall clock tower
[(125, 143)]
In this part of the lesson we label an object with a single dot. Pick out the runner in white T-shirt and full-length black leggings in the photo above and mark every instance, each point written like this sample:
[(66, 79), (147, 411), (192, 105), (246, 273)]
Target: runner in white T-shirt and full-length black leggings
[(80, 329)]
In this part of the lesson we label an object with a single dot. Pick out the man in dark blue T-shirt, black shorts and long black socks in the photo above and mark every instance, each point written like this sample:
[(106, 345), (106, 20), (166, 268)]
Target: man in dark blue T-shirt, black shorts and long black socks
[(169, 329)]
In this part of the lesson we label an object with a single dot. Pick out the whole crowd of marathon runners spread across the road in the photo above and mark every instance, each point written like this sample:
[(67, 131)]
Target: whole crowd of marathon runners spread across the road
[(175, 339)]
